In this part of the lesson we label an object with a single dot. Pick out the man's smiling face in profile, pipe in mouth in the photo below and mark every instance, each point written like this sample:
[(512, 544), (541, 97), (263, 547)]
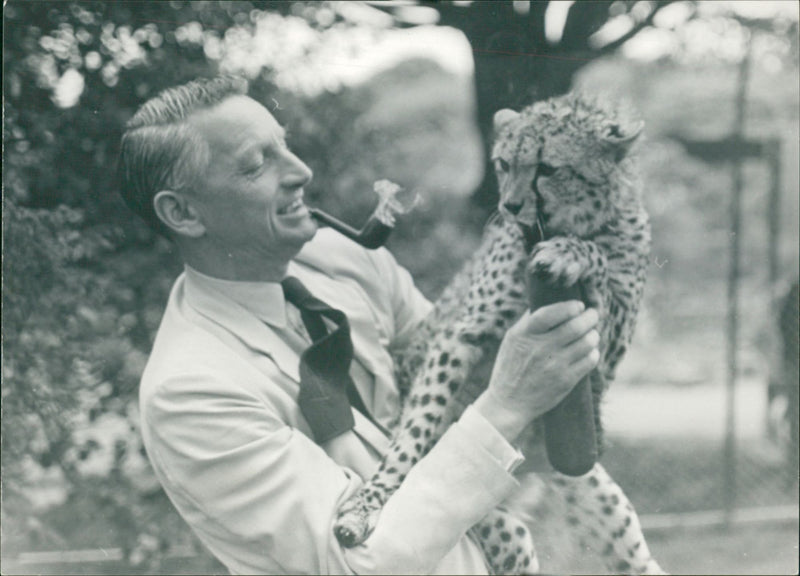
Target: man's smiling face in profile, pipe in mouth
[(250, 198)]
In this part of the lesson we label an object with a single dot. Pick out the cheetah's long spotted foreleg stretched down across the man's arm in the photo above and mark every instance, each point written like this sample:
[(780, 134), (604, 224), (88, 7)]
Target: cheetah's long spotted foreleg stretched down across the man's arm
[(487, 309)]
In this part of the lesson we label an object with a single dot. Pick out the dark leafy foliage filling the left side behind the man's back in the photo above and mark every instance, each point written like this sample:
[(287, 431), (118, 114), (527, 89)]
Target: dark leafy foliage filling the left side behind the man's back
[(84, 284)]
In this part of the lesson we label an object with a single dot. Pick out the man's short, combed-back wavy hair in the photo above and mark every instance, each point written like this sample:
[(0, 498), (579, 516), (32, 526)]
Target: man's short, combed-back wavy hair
[(161, 151)]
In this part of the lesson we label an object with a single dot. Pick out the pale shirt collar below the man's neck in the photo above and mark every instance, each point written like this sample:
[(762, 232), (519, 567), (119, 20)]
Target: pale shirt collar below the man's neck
[(264, 299)]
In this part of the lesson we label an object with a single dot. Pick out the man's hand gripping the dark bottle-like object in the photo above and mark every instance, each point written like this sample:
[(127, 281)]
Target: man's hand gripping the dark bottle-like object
[(542, 357)]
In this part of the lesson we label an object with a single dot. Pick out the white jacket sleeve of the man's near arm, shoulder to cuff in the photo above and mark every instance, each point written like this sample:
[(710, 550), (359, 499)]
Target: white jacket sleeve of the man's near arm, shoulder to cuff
[(263, 496)]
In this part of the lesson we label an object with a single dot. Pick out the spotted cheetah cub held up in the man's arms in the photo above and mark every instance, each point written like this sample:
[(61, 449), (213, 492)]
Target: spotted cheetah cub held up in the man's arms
[(563, 167)]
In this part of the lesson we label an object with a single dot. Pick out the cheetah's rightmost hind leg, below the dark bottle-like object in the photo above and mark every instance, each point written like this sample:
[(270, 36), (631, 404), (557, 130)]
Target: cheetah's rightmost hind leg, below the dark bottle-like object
[(605, 520)]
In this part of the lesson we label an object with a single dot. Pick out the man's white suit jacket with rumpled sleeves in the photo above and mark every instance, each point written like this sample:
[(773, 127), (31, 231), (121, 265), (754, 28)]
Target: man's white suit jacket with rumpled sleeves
[(226, 438)]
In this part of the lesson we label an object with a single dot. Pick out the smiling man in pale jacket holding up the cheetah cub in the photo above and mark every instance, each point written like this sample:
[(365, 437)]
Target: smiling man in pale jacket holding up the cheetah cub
[(209, 167)]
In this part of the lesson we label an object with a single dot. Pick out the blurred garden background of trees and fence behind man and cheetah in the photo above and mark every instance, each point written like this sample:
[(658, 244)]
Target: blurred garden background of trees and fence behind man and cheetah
[(702, 423)]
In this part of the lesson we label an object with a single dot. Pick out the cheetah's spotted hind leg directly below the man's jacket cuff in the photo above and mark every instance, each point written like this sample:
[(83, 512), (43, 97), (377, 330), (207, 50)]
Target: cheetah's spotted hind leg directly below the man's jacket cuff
[(507, 543)]
